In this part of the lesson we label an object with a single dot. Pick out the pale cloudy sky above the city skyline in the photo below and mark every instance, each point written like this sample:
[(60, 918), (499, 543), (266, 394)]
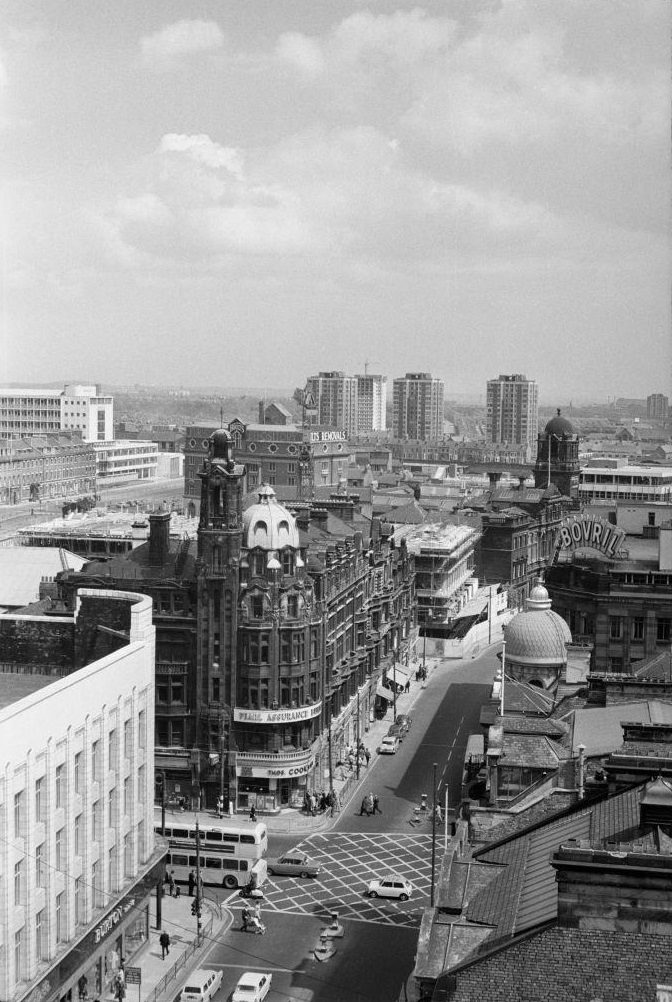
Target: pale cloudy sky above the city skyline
[(245, 193)]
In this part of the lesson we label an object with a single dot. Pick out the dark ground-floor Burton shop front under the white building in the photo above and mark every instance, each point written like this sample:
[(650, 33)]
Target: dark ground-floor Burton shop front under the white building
[(90, 968)]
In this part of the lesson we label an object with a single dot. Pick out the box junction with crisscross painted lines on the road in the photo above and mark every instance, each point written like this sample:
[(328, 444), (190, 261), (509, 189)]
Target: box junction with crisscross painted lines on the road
[(351, 861)]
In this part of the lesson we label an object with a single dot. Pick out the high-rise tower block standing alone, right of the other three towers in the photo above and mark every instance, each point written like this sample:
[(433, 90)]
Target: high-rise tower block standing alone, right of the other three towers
[(513, 412)]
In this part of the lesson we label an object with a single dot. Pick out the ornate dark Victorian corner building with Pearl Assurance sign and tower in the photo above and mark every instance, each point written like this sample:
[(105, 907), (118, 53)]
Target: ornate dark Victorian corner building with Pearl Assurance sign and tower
[(273, 631)]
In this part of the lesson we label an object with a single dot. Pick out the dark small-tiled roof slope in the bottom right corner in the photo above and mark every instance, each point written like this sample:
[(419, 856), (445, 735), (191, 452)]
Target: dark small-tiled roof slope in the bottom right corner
[(569, 965)]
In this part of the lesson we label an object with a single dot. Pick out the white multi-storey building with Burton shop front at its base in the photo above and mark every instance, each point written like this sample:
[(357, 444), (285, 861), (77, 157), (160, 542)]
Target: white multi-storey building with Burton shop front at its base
[(78, 854)]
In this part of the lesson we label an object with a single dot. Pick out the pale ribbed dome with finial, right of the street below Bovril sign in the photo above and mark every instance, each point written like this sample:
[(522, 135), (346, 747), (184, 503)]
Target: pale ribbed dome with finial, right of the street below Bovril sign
[(537, 637)]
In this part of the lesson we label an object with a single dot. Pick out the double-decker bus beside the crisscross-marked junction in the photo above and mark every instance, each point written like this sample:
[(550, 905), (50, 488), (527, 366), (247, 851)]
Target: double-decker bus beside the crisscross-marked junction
[(233, 851)]
